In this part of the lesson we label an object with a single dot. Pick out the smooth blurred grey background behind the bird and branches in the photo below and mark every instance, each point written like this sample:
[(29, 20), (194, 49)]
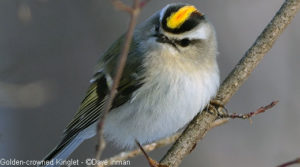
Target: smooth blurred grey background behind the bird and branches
[(48, 50)]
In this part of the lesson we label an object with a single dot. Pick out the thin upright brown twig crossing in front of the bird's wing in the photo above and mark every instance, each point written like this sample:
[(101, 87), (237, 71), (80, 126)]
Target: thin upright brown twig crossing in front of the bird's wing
[(120, 67)]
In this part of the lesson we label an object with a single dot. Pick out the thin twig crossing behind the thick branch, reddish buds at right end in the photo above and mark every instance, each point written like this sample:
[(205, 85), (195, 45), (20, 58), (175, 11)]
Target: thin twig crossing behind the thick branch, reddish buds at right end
[(171, 139)]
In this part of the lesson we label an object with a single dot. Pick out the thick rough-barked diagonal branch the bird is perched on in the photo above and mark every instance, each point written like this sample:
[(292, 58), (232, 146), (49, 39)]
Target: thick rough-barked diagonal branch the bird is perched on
[(199, 126)]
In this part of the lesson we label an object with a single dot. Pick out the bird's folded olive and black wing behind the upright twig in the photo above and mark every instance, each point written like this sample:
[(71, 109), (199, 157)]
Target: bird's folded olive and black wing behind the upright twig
[(91, 107)]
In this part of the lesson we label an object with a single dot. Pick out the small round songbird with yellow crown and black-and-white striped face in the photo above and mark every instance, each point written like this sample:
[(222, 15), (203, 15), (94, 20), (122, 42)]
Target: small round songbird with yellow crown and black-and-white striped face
[(171, 74)]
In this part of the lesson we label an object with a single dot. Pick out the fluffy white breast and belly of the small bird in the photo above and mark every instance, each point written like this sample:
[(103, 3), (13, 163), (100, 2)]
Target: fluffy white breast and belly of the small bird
[(168, 100)]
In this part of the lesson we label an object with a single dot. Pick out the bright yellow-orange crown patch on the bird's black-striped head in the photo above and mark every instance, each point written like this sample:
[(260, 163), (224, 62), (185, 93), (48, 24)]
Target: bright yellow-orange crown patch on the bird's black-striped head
[(178, 18)]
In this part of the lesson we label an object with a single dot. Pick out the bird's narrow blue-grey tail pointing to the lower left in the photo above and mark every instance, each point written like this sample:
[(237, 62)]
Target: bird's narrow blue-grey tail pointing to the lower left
[(62, 151)]
